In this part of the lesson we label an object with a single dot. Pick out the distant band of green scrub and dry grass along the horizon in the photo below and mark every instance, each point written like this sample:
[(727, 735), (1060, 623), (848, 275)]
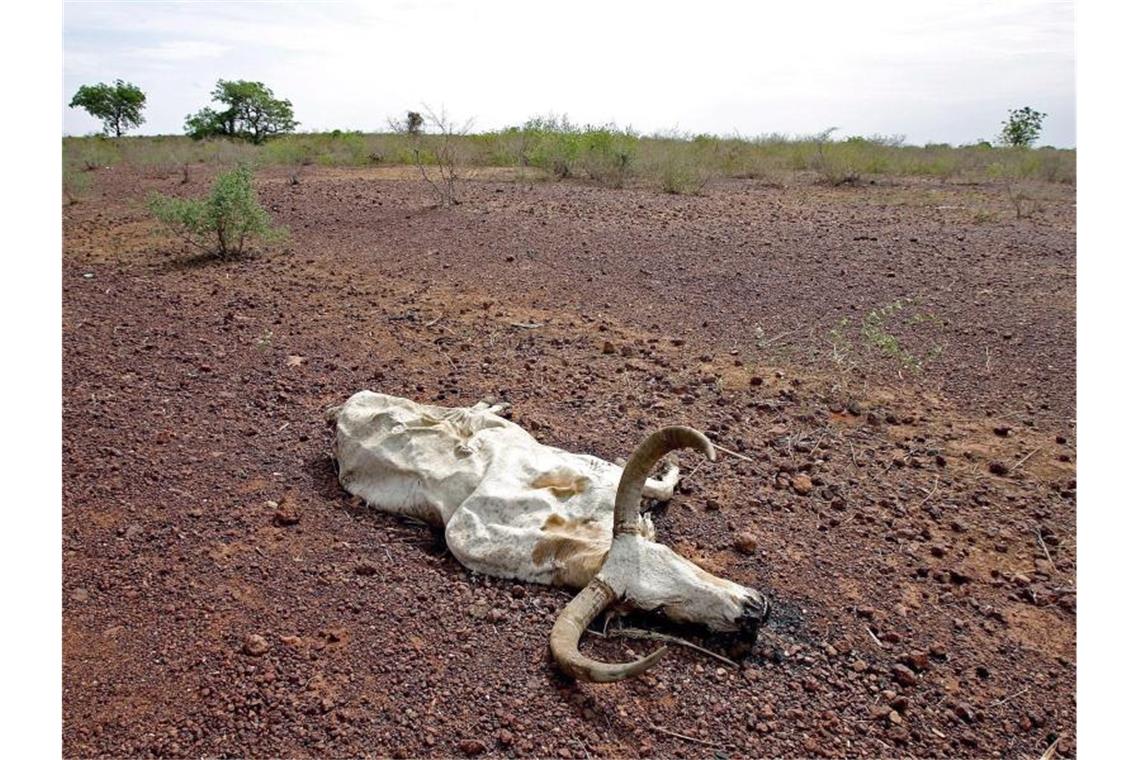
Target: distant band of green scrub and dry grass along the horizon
[(557, 149)]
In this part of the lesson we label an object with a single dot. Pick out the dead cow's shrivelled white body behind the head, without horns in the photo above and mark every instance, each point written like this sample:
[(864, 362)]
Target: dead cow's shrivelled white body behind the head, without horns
[(512, 508)]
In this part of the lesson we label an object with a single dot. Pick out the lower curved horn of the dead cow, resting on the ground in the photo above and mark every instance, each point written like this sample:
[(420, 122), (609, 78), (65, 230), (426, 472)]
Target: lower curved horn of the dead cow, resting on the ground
[(569, 627)]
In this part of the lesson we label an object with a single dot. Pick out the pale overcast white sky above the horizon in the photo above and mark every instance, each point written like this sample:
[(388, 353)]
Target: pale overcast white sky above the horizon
[(944, 71)]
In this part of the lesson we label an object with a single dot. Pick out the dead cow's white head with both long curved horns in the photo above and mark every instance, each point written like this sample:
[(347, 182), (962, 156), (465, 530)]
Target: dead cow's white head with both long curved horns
[(646, 575)]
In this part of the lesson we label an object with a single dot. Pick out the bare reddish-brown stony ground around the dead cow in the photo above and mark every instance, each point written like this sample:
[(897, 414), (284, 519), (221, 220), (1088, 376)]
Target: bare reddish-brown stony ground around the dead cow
[(922, 573)]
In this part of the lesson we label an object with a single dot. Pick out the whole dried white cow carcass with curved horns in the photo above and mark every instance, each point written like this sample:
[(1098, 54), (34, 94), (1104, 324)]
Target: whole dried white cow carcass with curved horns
[(514, 508)]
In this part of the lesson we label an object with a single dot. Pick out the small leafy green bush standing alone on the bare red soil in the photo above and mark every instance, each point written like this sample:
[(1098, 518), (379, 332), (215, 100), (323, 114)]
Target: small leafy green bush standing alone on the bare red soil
[(223, 223)]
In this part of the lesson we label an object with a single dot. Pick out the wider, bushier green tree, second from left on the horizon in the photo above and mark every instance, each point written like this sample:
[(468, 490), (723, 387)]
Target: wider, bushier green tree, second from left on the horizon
[(251, 113)]
